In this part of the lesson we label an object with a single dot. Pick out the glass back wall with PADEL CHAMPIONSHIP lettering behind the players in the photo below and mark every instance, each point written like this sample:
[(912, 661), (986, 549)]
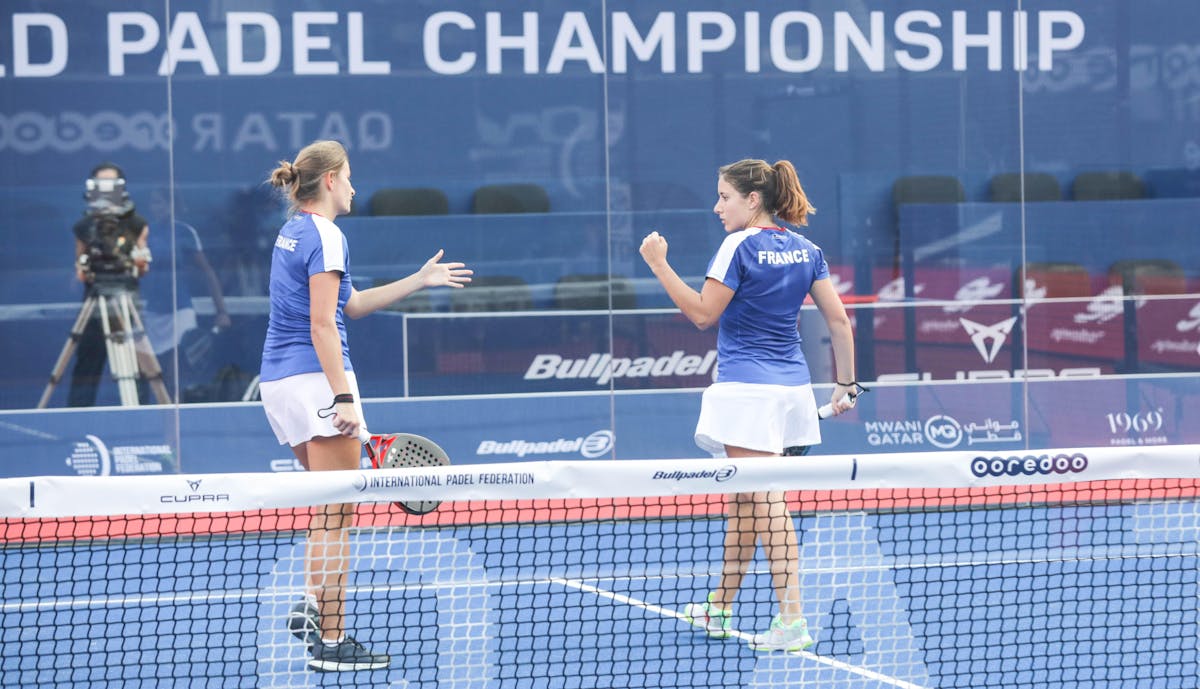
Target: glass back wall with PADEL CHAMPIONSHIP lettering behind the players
[(1006, 196)]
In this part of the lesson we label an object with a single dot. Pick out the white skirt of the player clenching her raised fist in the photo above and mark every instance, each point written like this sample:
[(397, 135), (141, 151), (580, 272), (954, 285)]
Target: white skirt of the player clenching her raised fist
[(758, 417)]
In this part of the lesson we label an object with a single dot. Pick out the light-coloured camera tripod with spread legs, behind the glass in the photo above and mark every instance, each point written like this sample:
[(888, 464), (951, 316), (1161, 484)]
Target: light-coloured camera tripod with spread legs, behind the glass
[(130, 355)]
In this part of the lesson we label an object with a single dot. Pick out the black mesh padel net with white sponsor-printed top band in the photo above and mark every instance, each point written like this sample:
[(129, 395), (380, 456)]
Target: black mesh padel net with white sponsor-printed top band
[(1049, 568)]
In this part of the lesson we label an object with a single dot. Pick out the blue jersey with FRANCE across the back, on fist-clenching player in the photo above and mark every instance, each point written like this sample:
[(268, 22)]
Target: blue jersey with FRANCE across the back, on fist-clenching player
[(771, 272)]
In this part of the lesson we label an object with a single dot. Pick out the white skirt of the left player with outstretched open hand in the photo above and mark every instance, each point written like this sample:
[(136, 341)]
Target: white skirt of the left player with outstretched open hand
[(292, 405)]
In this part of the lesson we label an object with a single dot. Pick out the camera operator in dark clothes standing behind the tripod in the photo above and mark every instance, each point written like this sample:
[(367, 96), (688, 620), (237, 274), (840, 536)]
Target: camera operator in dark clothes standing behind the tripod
[(133, 238)]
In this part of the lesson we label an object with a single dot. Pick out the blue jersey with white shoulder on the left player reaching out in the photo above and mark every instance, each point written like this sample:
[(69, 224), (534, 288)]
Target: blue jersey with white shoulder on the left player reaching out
[(308, 245)]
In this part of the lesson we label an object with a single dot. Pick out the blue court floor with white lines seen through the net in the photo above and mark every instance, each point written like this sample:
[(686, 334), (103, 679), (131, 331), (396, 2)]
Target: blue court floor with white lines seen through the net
[(1051, 597)]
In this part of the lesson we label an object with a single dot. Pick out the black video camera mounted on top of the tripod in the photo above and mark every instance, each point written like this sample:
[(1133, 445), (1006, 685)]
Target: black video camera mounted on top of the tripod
[(112, 247)]
